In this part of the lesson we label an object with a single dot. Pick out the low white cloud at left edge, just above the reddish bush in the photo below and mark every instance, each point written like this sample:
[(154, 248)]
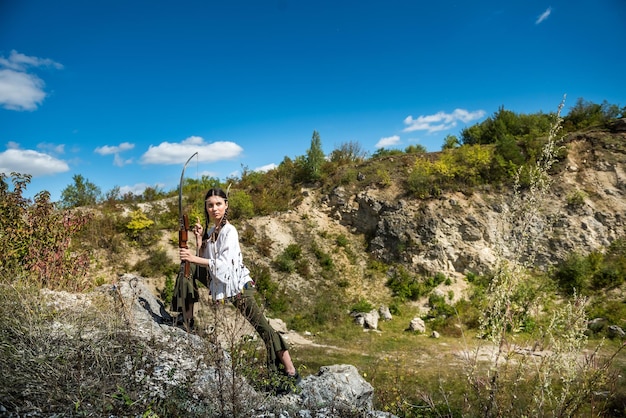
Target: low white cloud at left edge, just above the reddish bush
[(30, 162)]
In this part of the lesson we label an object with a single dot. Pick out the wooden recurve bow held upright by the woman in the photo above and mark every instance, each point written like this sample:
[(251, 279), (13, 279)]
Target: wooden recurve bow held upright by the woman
[(183, 290)]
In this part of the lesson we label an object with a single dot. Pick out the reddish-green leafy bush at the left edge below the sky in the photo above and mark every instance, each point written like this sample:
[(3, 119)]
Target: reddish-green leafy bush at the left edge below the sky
[(36, 239)]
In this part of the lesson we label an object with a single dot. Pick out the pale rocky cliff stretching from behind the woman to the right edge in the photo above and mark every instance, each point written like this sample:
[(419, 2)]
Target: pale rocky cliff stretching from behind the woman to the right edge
[(462, 232)]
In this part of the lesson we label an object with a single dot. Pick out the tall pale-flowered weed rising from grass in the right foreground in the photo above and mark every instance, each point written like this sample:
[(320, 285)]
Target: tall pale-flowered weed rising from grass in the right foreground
[(549, 374)]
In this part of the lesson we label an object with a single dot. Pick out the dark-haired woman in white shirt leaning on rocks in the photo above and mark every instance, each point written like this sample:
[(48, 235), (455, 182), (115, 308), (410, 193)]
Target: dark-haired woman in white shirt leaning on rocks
[(219, 252)]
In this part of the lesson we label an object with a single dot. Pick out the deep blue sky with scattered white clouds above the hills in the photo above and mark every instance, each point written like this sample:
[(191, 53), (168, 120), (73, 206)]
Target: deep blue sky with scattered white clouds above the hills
[(123, 92)]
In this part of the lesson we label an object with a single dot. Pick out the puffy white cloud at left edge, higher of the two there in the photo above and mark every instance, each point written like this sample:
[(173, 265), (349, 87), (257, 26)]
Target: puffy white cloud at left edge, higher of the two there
[(20, 89)]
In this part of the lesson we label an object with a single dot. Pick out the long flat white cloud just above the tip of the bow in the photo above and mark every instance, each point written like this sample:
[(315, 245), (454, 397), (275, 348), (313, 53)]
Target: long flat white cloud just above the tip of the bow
[(178, 153)]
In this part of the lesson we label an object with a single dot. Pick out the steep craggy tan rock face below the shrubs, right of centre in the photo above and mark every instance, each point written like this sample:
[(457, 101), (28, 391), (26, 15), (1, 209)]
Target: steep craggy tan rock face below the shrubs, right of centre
[(459, 232)]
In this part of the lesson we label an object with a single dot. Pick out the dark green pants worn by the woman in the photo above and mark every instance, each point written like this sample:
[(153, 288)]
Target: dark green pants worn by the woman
[(274, 342)]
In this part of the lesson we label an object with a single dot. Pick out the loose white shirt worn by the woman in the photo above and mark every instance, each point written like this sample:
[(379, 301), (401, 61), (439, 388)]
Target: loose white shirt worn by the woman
[(228, 273)]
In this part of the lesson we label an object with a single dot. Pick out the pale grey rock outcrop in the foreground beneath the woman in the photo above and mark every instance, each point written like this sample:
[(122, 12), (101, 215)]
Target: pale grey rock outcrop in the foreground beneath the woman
[(181, 358)]
